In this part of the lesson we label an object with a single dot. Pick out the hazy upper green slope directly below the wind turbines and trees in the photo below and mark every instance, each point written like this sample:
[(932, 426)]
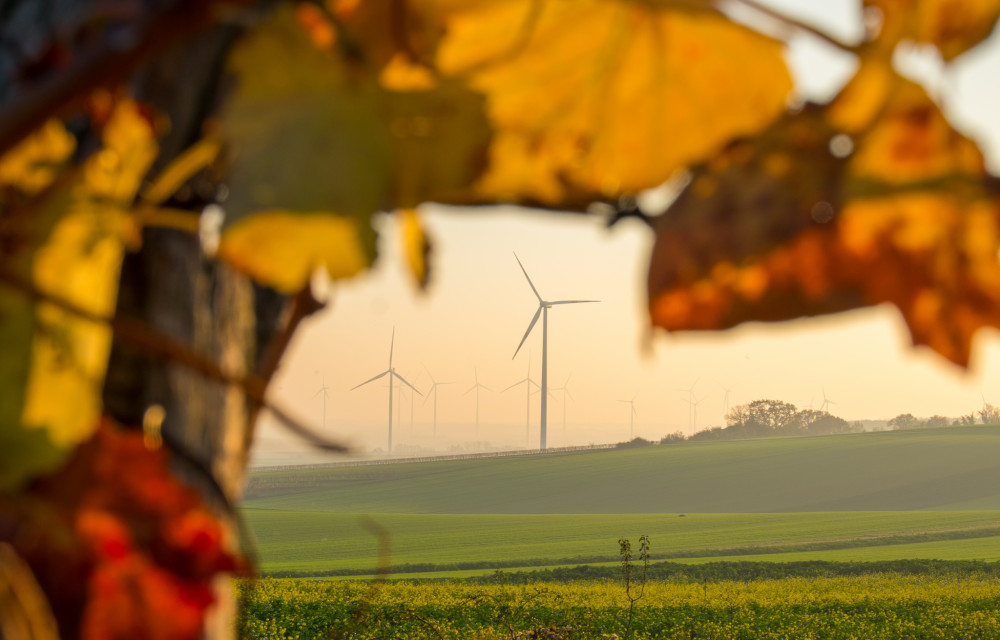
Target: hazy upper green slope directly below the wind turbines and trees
[(937, 469)]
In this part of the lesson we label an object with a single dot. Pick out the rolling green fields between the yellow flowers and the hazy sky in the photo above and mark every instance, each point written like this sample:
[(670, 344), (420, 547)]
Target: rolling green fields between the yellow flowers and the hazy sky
[(911, 494)]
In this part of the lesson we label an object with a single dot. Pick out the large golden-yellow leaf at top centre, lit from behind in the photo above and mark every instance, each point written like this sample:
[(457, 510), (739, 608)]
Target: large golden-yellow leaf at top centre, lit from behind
[(595, 98)]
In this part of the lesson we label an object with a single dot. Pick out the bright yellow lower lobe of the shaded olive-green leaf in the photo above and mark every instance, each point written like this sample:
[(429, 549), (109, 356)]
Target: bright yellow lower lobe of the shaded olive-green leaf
[(283, 249)]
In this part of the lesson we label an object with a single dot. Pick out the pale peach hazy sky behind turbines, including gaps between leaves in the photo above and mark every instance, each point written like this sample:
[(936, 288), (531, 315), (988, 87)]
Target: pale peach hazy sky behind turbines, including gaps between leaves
[(479, 305)]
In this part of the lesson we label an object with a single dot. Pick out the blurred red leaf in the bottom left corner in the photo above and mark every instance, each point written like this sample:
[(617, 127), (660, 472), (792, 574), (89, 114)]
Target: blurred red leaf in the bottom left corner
[(121, 559)]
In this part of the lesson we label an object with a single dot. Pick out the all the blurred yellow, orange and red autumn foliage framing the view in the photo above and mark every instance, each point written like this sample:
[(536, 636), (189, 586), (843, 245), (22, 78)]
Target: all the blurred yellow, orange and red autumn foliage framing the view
[(321, 114)]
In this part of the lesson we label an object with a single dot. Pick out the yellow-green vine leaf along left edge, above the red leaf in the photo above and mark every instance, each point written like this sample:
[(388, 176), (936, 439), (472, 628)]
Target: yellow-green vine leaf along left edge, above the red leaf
[(68, 241)]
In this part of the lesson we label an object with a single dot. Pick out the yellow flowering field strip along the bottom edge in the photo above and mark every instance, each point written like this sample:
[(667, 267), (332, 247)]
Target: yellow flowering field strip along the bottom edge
[(883, 606)]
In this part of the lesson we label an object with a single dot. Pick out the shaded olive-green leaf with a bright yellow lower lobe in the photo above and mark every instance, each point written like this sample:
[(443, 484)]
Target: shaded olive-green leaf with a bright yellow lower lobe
[(318, 143)]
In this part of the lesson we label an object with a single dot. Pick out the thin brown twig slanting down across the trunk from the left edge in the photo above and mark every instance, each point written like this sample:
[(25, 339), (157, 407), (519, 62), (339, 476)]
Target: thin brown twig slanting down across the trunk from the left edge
[(161, 345)]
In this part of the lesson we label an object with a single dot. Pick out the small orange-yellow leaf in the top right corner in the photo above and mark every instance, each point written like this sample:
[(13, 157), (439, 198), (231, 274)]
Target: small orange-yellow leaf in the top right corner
[(953, 26)]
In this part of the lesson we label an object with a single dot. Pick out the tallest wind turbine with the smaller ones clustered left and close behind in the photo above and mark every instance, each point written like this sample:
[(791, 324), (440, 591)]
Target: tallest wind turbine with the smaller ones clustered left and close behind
[(543, 312)]
